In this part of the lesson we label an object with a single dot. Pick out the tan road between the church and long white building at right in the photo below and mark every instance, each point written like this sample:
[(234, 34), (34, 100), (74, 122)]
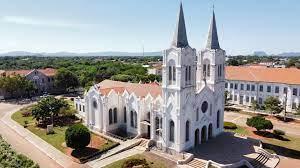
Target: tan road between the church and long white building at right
[(240, 119)]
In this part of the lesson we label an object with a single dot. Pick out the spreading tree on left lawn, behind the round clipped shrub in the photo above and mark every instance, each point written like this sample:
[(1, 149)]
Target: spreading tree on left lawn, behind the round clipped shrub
[(48, 107)]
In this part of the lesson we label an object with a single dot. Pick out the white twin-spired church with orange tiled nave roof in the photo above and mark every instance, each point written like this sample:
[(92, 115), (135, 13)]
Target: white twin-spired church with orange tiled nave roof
[(185, 110)]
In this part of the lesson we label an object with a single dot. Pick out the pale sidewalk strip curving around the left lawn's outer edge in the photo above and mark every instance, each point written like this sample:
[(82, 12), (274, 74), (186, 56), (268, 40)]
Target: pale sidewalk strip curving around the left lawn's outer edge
[(47, 149)]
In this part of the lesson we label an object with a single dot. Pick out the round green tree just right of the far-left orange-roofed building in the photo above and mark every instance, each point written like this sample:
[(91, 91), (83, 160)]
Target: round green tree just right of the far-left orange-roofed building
[(65, 79)]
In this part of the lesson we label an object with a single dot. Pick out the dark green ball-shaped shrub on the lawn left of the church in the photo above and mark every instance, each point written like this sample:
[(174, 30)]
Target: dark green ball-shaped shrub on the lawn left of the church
[(77, 136)]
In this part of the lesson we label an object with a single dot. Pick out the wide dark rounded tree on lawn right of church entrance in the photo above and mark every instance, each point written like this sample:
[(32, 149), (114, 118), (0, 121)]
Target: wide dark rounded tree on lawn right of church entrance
[(259, 123)]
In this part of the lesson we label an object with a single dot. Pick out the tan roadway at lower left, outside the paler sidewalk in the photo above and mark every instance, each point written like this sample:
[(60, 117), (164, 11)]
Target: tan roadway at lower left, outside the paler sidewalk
[(20, 144)]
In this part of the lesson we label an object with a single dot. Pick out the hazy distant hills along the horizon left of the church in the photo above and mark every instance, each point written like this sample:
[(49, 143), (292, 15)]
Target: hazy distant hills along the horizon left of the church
[(89, 54)]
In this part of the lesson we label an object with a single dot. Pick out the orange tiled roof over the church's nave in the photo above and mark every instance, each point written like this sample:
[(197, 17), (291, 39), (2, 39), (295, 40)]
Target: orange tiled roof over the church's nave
[(141, 90)]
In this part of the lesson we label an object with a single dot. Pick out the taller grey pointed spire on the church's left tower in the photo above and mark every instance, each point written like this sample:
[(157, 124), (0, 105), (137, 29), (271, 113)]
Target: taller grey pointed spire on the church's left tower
[(180, 38)]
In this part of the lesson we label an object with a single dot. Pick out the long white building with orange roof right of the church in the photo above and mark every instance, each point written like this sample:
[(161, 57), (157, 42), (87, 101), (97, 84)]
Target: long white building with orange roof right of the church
[(247, 83)]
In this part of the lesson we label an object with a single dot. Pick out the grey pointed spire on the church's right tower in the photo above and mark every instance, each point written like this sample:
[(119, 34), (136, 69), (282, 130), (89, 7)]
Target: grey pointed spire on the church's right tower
[(212, 40)]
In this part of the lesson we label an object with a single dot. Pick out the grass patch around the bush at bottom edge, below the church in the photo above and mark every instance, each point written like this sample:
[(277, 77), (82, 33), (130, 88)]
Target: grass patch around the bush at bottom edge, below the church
[(155, 163)]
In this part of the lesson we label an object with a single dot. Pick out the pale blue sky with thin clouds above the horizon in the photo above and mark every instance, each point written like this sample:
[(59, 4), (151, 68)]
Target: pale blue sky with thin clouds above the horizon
[(125, 25)]
